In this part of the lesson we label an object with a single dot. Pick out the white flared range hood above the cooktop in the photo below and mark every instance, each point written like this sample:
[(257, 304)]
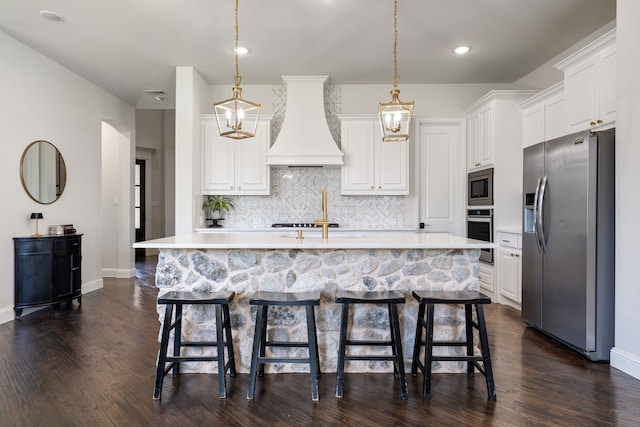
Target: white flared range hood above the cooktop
[(305, 139)]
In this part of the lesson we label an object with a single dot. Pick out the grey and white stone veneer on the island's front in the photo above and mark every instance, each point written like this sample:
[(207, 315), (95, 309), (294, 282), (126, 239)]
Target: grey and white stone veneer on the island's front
[(247, 271)]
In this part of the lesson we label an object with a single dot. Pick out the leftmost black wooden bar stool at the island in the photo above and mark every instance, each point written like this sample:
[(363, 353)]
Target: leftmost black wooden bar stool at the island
[(177, 299)]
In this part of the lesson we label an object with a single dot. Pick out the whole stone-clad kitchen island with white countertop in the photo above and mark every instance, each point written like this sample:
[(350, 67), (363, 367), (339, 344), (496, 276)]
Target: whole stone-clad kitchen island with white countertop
[(250, 262)]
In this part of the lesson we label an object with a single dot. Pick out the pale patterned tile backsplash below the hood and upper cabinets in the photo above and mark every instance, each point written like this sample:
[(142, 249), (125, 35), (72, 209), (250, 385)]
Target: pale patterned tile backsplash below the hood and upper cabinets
[(296, 196)]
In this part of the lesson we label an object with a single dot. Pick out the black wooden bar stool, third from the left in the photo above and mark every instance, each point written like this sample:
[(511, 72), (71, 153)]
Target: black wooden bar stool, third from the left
[(392, 299)]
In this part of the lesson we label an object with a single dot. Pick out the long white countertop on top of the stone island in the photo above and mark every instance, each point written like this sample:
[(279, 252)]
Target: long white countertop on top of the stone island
[(313, 240)]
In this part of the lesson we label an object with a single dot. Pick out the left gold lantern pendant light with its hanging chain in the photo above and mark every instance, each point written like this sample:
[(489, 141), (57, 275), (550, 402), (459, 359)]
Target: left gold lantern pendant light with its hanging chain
[(237, 118)]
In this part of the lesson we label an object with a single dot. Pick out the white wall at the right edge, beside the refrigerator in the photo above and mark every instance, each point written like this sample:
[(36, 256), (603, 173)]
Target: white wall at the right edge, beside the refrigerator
[(626, 352)]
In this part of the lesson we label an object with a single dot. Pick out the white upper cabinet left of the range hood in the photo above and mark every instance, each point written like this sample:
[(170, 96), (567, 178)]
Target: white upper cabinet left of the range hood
[(234, 167)]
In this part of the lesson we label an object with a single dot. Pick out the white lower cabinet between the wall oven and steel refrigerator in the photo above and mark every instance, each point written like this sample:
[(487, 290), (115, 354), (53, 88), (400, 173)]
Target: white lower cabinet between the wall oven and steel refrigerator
[(509, 268)]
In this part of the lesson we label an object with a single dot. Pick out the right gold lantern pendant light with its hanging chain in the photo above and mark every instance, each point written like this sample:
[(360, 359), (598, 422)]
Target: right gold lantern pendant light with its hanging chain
[(395, 116)]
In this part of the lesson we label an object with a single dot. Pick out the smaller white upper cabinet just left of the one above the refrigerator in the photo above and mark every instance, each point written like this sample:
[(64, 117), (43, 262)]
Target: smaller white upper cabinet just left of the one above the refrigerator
[(543, 116)]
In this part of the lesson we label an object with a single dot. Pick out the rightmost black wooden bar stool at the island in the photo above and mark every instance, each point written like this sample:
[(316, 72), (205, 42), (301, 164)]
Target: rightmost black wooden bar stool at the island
[(470, 299)]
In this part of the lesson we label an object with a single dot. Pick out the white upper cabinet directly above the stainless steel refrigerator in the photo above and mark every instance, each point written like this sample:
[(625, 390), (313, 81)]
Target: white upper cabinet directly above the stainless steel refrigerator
[(590, 84)]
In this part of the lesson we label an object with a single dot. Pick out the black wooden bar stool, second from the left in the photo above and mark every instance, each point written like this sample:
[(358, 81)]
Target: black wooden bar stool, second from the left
[(260, 341)]
